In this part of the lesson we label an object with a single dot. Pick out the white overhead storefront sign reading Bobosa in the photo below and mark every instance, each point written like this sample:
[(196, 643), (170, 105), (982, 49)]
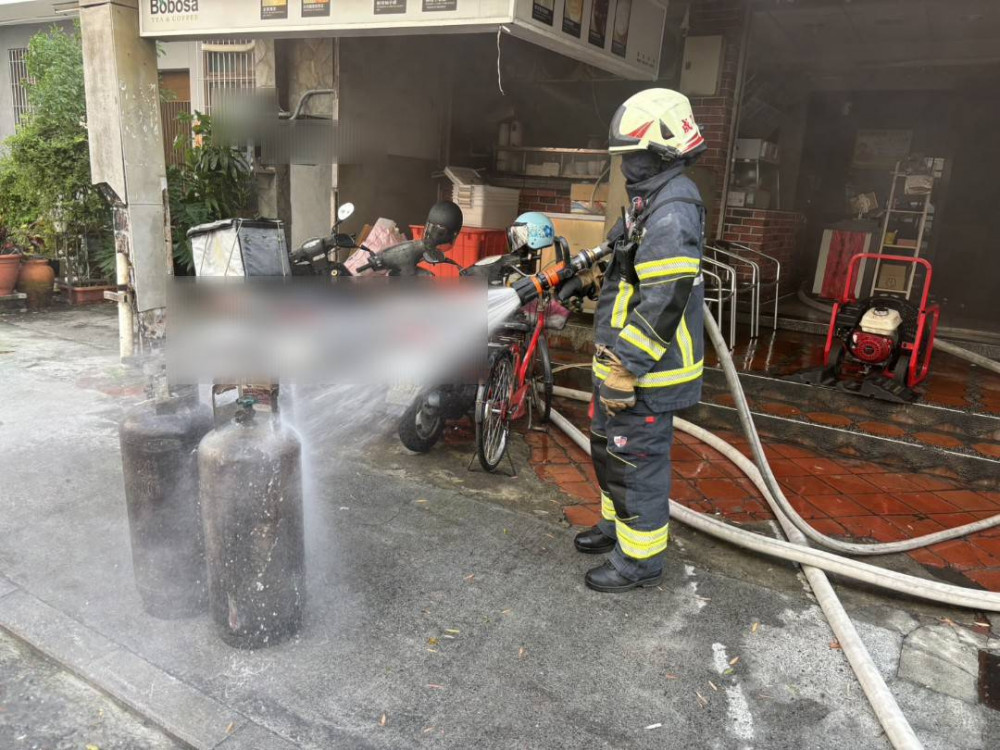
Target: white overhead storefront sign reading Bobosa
[(575, 28)]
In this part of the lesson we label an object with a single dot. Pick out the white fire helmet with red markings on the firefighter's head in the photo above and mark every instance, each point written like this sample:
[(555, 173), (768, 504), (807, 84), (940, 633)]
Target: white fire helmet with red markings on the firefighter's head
[(657, 120)]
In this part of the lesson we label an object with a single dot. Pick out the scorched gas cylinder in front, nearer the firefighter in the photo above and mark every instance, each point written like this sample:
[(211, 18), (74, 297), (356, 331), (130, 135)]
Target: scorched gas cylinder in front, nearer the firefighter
[(251, 503)]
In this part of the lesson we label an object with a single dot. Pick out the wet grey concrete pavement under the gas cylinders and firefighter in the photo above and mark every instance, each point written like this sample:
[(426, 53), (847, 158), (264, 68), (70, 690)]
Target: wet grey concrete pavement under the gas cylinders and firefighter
[(446, 608)]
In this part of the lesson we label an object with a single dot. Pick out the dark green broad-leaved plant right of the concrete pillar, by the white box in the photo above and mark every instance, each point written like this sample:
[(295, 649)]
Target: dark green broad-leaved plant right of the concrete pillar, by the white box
[(212, 182)]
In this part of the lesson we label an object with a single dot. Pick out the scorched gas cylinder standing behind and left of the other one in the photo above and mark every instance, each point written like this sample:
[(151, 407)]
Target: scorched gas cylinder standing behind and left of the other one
[(159, 440)]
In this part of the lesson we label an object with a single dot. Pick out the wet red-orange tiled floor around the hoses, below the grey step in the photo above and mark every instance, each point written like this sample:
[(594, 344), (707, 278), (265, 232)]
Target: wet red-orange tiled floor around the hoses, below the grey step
[(846, 498)]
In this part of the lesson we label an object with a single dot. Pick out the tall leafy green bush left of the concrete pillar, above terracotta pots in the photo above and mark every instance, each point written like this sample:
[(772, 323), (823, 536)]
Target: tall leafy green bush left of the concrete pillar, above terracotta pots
[(45, 186)]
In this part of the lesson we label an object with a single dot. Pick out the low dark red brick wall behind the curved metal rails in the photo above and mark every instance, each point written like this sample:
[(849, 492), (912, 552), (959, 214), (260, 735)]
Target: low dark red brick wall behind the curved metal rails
[(773, 232)]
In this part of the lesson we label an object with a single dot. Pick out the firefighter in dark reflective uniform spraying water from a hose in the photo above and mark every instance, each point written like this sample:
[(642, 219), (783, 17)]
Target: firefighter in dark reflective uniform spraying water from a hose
[(648, 335)]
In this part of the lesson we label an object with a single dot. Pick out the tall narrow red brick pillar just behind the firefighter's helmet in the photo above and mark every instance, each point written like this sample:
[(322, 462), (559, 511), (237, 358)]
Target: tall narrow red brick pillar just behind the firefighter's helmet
[(714, 114)]
